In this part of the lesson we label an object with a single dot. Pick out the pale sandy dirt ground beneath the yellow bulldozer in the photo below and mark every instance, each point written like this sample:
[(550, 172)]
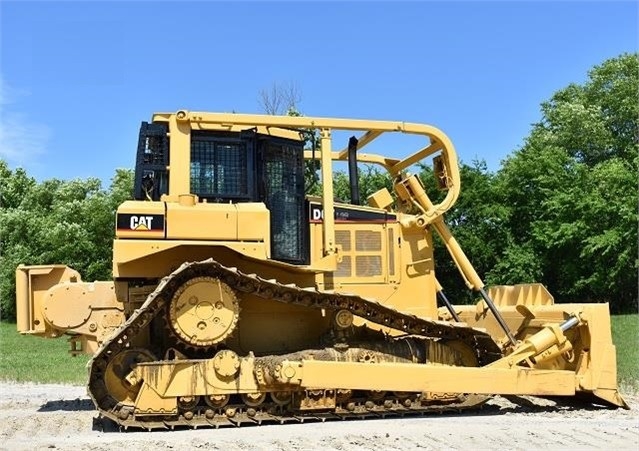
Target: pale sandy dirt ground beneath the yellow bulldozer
[(37, 417)]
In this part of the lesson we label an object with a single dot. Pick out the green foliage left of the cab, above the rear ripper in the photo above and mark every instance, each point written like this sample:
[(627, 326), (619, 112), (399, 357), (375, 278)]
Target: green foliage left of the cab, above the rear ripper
[(69, 222)]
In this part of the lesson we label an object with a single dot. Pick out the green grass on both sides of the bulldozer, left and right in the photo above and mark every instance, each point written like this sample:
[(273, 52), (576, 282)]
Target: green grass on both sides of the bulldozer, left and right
[(34, 359)]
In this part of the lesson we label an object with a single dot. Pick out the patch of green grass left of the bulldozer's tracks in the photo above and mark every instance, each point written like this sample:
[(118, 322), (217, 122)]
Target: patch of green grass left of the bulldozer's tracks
[(25, 358)]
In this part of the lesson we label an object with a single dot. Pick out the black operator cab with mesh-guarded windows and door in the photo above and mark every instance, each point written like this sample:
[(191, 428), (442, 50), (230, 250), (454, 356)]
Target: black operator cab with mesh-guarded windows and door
[(231, 167)]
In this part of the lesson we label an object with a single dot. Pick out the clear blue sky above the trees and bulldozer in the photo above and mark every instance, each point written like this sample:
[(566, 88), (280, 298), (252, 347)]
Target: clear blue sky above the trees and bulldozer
[(77, 78)]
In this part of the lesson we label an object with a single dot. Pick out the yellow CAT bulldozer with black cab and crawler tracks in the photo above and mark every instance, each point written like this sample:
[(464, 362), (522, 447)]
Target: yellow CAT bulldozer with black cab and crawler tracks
[(239, 298)]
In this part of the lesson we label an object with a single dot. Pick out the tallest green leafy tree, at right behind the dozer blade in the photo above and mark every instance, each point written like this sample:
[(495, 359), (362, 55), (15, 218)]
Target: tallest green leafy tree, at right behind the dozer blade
[(571, 191)]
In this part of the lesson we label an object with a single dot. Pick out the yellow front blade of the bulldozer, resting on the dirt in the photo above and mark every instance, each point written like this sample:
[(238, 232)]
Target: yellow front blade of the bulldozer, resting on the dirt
[(566, 337)]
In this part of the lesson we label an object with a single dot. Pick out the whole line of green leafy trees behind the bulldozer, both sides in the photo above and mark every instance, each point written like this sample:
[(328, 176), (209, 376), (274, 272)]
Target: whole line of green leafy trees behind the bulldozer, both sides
[(561, 210)]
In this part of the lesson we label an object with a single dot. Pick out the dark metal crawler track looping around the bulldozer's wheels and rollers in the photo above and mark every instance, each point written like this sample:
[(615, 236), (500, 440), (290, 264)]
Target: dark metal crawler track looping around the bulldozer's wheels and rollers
[(155, 304)]
